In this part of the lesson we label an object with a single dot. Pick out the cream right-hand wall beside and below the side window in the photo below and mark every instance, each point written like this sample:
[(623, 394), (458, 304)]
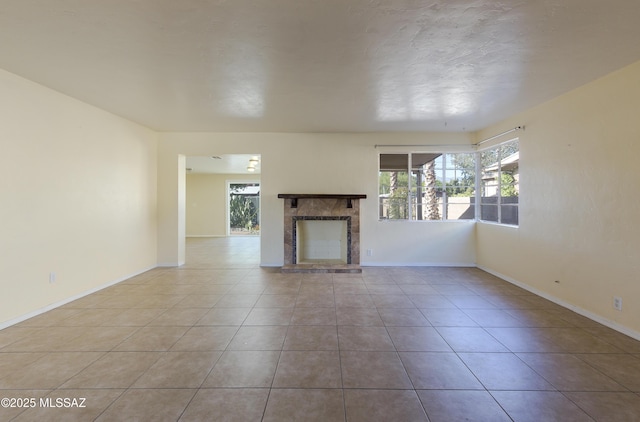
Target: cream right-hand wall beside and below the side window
[(579, 201)]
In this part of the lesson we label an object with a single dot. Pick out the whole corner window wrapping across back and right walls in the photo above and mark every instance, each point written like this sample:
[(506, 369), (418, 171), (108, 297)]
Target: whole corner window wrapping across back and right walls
[(442, 186)]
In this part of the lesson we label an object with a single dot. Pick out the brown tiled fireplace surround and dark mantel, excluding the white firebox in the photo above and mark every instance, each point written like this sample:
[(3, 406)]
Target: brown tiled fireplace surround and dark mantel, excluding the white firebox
[(321, 207)]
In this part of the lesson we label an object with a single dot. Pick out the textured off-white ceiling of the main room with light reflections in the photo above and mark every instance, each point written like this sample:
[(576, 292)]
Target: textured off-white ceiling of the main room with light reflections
[(316, 65)]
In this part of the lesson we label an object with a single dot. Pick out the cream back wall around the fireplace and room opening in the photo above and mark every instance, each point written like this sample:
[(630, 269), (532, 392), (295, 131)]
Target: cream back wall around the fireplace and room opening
[(316, 163)]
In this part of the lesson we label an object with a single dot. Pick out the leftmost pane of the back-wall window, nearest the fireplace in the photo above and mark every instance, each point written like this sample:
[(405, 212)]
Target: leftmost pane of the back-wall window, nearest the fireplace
[(394, 186)]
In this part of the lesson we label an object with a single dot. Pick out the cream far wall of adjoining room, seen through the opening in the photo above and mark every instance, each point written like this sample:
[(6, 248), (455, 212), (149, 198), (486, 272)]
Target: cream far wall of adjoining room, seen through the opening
[(206, 207)]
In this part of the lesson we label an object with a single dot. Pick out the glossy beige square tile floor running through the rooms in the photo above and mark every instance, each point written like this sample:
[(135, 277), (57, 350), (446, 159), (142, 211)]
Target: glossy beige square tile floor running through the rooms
[(221, 339)]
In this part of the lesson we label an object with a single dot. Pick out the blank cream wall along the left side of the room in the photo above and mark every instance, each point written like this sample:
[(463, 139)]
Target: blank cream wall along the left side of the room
[(78, 195)]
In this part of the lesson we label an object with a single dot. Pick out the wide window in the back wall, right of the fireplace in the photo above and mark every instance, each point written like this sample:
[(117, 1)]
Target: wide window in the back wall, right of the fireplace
[(427, 186)]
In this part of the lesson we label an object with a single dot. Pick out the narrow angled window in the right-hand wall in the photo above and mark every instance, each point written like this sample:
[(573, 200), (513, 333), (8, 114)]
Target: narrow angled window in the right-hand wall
[(499, 187)]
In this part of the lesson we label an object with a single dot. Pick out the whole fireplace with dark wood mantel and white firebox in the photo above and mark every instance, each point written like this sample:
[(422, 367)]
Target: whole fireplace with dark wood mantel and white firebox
[(321, 232)]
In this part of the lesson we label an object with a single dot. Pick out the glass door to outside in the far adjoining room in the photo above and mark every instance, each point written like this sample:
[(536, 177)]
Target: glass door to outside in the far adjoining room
[(243, 205)]
